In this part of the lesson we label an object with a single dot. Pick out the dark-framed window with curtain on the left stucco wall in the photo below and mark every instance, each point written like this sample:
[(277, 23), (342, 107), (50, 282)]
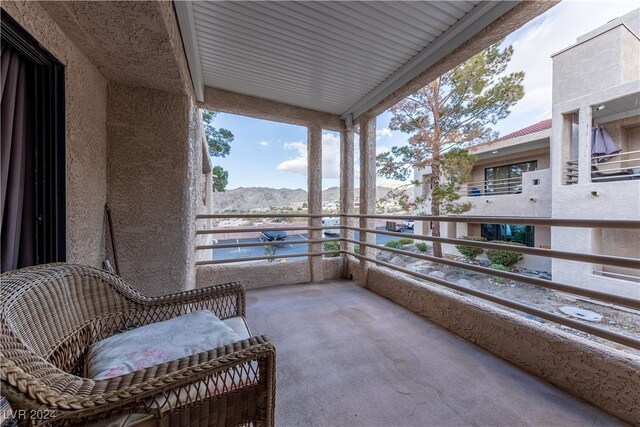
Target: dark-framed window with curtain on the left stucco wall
[(33, 211)]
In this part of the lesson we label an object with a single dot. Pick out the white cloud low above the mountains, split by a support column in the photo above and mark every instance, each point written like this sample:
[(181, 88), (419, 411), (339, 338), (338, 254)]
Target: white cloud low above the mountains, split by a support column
[(330, 157)]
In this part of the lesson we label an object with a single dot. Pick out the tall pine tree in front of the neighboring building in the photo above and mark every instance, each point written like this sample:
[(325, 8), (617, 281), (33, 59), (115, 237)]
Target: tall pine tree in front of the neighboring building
[(454, 111)]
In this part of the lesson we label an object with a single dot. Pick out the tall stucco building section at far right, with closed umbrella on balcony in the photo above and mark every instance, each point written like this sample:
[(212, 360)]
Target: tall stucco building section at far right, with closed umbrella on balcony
[(588, 92)]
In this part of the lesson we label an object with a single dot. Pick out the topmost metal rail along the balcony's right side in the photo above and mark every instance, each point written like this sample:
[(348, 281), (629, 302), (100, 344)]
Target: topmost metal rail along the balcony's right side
[(556, 222)]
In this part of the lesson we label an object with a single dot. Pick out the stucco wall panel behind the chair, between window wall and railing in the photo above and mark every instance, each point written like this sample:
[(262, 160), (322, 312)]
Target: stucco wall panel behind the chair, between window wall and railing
[(154, 163)]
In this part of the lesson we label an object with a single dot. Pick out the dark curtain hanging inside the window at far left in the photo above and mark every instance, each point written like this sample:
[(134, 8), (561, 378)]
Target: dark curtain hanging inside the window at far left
[(17, 246)]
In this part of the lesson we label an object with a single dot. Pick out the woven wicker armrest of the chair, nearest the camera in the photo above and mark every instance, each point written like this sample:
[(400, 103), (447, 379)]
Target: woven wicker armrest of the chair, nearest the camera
[(74, 398)]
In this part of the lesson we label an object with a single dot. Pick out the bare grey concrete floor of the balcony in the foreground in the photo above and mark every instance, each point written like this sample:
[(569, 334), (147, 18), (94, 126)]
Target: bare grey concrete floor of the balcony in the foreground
[(348, 357)]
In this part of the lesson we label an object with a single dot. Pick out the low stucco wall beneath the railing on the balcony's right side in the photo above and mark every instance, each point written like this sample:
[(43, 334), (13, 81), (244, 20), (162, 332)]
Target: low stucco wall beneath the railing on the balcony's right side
[(604, 377)]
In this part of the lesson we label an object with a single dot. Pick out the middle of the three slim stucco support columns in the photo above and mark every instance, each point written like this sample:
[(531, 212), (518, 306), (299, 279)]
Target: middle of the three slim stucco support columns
[(346, 190)]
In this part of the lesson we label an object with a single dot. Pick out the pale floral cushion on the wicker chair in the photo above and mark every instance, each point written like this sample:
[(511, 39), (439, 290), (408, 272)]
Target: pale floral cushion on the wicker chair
[(158, 343)]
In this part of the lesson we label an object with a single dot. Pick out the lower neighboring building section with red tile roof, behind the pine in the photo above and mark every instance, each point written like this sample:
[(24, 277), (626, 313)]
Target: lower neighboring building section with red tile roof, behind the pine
[(511, 177)]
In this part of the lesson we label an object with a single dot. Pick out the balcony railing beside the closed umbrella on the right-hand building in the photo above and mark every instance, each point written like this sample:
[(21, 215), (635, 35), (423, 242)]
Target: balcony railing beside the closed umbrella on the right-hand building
[(623, 166)]
